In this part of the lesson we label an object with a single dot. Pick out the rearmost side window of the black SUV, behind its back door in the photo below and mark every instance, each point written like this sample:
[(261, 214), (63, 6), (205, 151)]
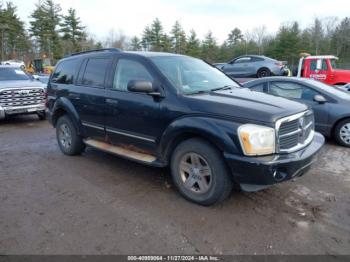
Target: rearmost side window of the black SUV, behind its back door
[(65, 71)]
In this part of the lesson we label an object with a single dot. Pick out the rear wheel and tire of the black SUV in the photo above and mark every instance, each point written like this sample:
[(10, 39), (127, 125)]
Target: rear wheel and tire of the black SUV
[(68, 139)]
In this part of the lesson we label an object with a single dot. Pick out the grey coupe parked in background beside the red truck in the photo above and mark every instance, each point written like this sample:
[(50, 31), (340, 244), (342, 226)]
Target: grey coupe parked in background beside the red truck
[(253, 66)]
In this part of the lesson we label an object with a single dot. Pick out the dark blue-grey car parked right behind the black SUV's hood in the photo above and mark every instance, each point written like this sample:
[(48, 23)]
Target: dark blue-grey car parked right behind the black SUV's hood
[(331, 105)]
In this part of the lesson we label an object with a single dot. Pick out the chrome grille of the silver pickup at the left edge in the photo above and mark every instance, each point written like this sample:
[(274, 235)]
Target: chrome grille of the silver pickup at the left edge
[(22, 97)]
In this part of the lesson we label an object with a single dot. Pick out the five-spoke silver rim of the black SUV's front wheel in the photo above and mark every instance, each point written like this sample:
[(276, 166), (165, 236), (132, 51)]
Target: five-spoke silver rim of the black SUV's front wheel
[(195, 173)]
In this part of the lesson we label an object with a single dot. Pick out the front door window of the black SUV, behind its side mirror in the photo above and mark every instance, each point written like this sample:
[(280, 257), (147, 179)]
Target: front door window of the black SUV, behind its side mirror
[(128, 70)]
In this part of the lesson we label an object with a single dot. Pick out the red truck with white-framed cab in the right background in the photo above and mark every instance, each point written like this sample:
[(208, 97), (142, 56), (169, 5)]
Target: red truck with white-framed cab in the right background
[(323, 68)]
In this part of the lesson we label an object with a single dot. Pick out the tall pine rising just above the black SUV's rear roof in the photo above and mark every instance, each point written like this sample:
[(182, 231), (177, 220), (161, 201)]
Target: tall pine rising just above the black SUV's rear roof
[(73, 31)]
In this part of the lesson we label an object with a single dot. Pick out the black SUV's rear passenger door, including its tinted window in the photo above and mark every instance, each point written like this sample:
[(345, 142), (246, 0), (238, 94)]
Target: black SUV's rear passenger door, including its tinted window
[(90, 94)]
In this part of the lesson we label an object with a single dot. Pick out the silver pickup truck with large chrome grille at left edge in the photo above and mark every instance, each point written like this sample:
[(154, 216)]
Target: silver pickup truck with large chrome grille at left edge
[(20, 93)]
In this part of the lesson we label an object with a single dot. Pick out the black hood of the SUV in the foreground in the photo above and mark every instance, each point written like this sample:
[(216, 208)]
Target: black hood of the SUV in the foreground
[(242, 103)]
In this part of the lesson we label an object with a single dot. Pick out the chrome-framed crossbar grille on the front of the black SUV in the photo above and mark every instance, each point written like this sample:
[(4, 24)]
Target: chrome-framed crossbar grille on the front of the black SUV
[(295, 132)]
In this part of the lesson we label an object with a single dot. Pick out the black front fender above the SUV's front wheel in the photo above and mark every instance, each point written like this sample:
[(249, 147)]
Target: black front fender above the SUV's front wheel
[(221, 133)]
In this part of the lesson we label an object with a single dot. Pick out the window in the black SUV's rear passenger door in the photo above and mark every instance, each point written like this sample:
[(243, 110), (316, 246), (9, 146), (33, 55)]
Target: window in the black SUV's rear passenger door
[(95, 72)]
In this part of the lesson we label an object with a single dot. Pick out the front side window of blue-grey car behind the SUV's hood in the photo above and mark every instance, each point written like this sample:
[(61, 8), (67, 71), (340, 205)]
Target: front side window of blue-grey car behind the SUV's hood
[(292, 90)]
